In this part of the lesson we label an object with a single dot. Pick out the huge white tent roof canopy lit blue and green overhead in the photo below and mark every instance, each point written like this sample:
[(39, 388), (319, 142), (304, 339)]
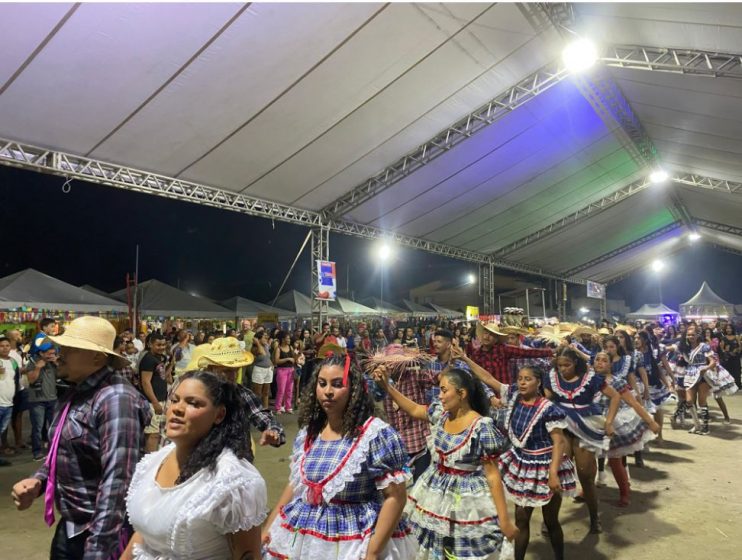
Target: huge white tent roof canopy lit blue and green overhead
[(451, 127)]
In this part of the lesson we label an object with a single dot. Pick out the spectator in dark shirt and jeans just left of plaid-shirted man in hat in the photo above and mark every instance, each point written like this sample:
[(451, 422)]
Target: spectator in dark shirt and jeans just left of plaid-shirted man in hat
[(41, 376)]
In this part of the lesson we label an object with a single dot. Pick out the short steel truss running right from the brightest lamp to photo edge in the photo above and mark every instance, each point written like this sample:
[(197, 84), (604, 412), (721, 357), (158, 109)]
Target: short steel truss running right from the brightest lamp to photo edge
[(676, 61)]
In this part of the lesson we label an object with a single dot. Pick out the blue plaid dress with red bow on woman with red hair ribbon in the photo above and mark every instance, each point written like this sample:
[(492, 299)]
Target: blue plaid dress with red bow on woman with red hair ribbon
[(338, 495)]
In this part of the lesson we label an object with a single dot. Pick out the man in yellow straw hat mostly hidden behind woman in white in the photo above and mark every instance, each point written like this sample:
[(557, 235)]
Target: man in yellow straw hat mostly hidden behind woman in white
[(225, 357)]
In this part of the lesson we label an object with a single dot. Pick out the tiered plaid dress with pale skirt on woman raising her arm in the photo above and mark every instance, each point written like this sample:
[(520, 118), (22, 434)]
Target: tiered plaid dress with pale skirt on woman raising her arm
[(451, 503)]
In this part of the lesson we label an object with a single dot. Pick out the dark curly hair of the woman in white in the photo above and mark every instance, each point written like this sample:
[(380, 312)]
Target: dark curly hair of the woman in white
[(231, 433)]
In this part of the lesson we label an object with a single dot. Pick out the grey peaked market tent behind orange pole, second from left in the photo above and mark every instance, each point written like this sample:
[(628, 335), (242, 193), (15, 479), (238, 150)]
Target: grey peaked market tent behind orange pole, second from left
[(157, 299)]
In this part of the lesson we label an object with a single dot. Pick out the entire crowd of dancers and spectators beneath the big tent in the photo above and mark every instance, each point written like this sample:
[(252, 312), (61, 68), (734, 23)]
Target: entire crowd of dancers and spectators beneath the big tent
[(422, 441)]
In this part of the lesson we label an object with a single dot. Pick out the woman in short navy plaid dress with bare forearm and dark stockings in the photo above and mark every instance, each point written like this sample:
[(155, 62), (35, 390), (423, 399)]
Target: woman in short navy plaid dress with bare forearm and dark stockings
[(535, 470)]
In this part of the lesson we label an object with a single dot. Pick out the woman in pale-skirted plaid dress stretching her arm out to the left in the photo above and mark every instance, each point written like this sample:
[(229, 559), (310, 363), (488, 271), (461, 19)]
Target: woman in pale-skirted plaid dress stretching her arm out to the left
[(457, 508)]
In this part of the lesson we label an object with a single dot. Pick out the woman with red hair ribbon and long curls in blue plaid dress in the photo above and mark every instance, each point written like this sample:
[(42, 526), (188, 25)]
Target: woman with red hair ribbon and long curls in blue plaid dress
[(346, 489)]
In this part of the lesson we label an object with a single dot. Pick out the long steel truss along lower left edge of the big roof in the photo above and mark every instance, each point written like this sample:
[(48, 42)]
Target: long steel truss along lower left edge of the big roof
[(24, 156)]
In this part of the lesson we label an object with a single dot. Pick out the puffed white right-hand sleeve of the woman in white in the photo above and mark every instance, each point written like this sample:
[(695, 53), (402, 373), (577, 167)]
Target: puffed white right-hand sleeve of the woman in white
[(239, 499)]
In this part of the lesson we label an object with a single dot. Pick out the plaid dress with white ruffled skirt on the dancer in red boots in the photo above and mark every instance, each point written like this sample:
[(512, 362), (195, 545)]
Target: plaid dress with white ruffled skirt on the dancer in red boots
[(631, 433)]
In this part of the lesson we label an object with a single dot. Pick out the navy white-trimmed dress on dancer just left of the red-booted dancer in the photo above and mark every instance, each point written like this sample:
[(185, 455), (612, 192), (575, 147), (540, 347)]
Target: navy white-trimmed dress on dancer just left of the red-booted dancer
[(578, 401)]
